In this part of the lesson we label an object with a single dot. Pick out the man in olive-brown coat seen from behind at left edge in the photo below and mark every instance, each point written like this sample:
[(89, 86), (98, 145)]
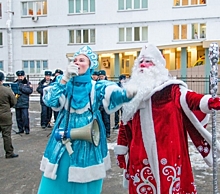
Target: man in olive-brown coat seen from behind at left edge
[(7, 100)]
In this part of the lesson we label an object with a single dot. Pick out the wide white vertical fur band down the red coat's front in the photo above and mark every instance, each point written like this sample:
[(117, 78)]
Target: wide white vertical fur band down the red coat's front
[(149, 140)]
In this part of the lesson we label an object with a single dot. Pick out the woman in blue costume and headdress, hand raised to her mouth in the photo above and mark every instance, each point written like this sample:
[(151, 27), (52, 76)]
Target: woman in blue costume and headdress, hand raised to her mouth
[(78, 98)]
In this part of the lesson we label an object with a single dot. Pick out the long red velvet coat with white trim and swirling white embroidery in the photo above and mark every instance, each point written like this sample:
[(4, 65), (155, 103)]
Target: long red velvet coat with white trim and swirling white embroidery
[(156, 140)]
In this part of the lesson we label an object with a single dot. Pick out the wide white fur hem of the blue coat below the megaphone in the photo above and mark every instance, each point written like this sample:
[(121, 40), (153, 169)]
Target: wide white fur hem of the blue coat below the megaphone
[(88, 174)]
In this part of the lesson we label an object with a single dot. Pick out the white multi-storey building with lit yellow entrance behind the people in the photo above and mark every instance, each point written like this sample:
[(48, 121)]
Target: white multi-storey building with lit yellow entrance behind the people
[(40, 35)]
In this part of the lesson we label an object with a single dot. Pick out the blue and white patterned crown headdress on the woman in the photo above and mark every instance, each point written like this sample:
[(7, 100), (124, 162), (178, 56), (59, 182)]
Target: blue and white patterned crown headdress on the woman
[(87, 51)]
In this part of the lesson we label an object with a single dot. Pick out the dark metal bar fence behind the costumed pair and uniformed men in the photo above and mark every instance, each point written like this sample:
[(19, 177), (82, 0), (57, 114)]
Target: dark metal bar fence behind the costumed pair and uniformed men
[(197, 84)]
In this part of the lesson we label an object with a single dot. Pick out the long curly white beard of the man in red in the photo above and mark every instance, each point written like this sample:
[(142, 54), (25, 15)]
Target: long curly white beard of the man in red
[(145, 80)]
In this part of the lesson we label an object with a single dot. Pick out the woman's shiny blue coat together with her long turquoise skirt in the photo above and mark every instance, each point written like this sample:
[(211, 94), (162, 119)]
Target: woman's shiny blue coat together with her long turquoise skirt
[(85, 169)]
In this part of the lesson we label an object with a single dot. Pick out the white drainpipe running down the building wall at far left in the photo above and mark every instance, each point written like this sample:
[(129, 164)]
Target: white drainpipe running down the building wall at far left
[(10, 76)]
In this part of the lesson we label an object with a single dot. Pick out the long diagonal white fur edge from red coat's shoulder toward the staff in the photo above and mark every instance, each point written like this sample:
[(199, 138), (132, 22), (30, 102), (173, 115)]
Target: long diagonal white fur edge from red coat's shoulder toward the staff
[(205, 134)]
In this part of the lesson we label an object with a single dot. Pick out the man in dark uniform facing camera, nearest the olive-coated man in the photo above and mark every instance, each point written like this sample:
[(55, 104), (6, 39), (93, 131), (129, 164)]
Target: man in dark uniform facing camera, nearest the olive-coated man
[(22, 106)]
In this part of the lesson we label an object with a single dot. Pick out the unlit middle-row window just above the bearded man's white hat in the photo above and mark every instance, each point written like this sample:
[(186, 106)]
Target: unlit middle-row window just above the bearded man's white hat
[(133, 34)]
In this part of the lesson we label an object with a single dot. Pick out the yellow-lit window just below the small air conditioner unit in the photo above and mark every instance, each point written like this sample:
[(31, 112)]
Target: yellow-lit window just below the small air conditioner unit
[(35, 38)]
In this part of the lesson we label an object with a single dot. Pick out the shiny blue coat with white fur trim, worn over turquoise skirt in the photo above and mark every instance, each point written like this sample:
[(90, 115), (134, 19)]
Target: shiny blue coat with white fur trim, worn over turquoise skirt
[(88, 162)]
